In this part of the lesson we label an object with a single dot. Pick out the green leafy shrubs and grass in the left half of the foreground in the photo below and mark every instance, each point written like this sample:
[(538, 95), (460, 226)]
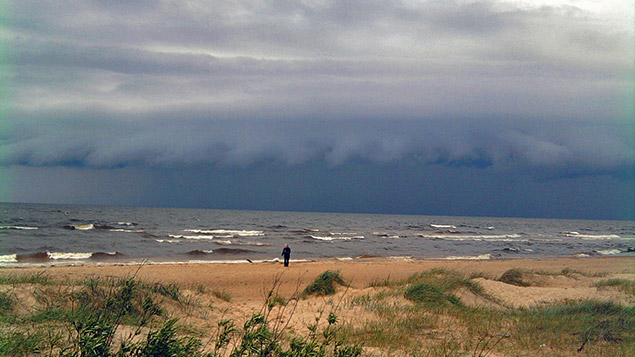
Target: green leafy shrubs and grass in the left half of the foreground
[(82, 319)]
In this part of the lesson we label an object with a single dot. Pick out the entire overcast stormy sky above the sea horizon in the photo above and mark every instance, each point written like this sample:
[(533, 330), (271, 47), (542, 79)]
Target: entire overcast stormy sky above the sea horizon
[(477, 108)]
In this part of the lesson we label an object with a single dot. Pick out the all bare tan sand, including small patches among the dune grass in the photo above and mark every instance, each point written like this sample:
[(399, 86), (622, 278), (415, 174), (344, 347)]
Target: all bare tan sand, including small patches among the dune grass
[(247, 284)]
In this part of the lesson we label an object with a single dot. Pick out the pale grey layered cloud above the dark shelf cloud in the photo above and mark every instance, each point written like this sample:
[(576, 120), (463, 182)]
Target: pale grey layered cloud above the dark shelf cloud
[(333, 59)]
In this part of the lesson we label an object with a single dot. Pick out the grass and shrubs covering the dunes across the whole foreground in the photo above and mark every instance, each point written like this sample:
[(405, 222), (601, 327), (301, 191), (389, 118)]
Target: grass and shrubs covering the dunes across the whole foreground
[(425, 314)]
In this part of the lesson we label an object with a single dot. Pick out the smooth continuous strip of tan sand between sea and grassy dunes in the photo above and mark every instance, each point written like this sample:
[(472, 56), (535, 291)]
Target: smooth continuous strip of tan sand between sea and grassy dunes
[(245, 283)]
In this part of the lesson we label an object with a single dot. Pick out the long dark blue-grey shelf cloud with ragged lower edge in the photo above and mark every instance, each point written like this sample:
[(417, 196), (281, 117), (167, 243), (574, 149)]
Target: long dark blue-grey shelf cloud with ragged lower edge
[(550, 148)]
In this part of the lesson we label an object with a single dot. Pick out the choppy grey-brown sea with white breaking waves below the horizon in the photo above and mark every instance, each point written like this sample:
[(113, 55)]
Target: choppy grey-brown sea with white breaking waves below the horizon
[(38, 234)]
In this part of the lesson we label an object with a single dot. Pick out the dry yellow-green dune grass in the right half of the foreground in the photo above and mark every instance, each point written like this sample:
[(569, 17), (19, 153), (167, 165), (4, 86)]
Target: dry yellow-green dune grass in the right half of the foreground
[(424, 316)]
